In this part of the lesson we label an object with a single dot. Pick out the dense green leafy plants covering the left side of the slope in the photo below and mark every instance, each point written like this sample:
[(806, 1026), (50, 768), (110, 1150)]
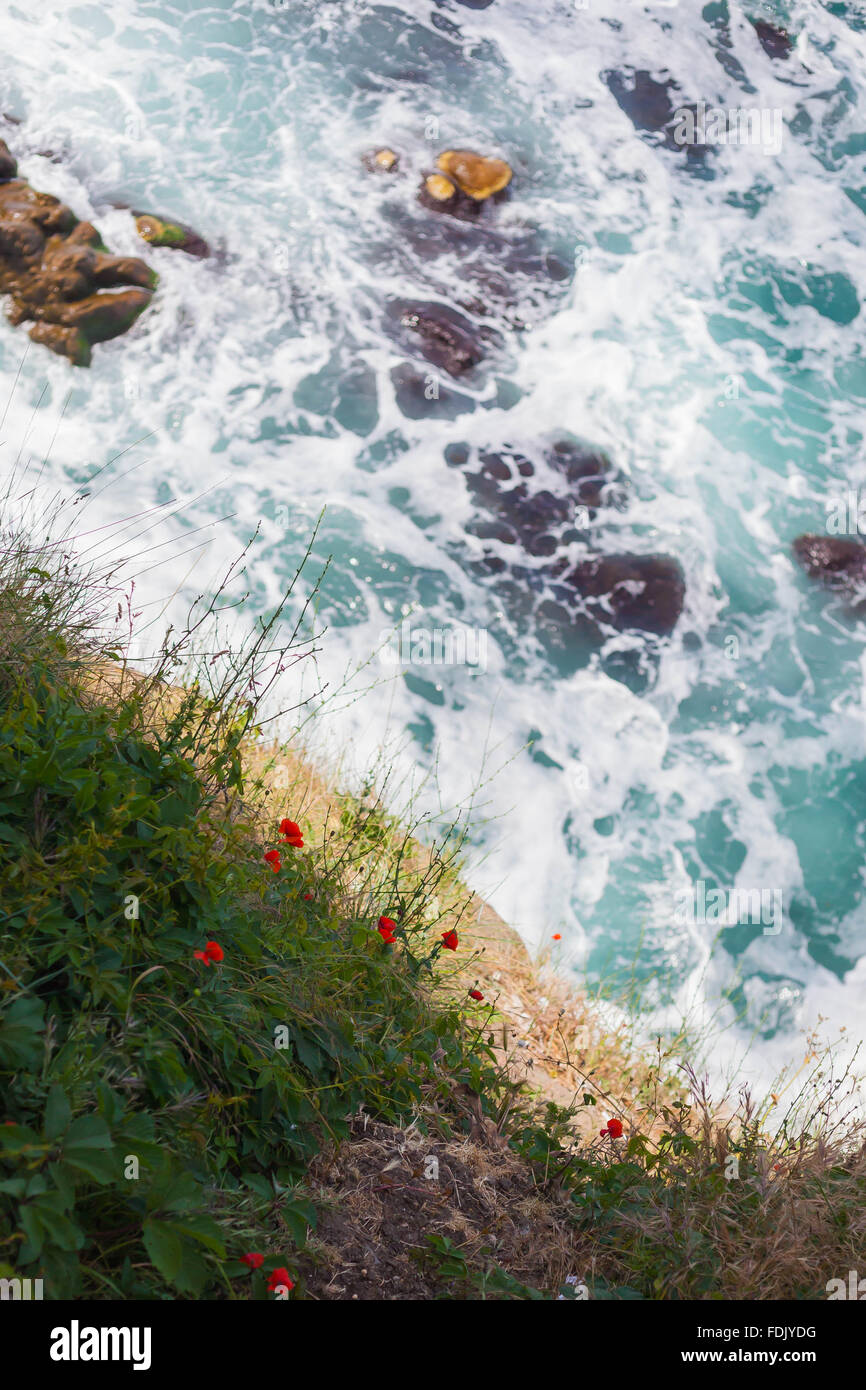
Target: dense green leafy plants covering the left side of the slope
[(158, 1111)]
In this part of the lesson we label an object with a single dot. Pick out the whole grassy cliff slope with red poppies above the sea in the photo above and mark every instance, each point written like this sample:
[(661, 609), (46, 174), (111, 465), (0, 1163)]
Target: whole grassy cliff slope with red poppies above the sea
[(259, 1040)]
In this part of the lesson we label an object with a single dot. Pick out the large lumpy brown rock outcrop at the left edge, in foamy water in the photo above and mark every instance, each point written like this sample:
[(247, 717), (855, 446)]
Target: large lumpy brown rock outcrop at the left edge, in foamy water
[(55, 268)]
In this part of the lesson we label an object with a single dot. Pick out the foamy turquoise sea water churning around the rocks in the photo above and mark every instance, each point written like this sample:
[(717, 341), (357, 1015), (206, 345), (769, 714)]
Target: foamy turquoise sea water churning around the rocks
[(700, 322)]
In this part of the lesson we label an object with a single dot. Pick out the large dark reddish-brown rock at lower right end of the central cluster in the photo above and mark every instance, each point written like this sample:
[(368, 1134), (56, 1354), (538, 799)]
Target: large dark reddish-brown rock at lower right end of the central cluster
[(632, 591)]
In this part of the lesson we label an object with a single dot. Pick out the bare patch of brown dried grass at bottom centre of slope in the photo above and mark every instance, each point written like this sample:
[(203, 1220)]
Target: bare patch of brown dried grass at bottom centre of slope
[(386, 1193)]
